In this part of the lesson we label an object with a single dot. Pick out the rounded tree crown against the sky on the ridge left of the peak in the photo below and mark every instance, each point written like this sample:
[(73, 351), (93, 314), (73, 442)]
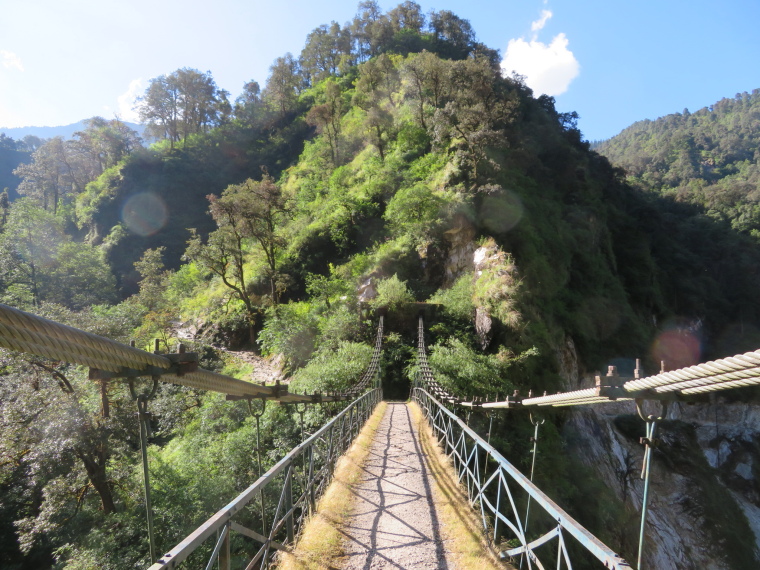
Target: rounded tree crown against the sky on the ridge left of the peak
[(181, 104)]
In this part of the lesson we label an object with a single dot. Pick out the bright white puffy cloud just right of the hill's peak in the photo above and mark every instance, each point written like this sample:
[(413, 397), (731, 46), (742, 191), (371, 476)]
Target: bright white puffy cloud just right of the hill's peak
[(548, 69)]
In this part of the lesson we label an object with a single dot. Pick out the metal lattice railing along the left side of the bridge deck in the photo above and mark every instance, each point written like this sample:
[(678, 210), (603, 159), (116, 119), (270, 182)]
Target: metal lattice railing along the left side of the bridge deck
[(298, 479)]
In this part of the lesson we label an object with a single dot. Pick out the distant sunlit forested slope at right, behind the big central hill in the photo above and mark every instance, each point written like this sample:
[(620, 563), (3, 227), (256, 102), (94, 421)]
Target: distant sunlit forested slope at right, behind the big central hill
[(709, 158)]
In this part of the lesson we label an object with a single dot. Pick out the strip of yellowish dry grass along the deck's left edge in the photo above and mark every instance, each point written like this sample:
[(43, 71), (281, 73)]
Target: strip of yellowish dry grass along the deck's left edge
[(321, 543)]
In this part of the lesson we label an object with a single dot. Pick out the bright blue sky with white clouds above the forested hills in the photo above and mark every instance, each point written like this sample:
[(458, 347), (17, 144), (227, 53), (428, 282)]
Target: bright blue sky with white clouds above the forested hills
[(613, 62)]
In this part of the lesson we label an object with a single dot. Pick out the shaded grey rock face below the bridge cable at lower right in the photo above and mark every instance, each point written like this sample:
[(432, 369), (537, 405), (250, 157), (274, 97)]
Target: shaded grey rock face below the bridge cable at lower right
[(703, 508)]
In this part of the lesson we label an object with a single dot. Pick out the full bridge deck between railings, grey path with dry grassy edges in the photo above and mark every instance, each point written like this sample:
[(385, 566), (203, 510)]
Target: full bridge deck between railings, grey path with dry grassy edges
[(405, 509)]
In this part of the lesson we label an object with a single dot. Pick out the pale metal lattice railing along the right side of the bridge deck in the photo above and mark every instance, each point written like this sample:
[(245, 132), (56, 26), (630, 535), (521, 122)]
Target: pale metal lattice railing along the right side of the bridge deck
[(503, 496)]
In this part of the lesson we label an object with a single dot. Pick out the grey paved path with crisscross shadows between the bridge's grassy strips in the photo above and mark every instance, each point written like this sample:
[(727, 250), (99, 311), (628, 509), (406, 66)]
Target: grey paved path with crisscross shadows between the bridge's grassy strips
[(394, 523)]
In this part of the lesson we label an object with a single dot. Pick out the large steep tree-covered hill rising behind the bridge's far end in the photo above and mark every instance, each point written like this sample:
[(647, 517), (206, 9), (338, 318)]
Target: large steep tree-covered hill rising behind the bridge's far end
[(391, 160)]
